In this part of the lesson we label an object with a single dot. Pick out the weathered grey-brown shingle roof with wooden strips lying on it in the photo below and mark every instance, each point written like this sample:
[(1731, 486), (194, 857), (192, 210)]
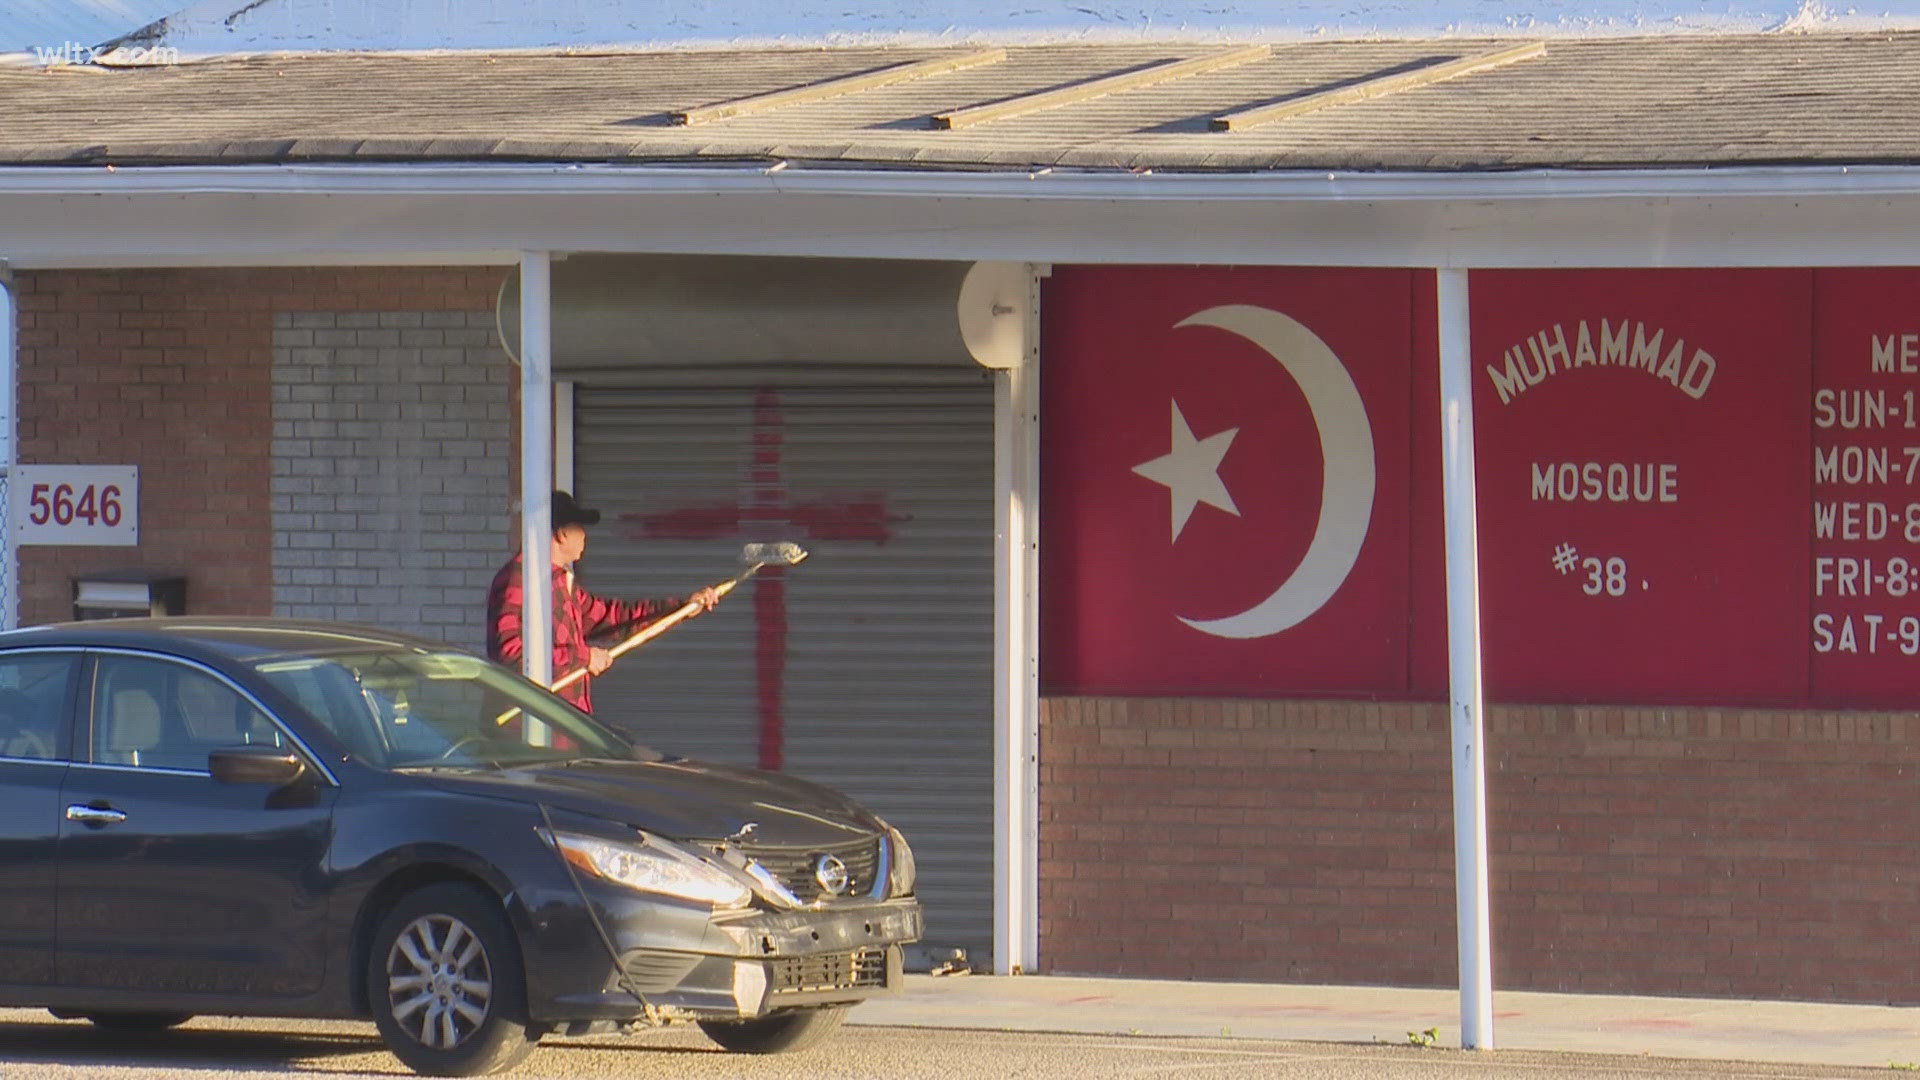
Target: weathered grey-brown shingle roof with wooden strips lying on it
[(1602, 103)]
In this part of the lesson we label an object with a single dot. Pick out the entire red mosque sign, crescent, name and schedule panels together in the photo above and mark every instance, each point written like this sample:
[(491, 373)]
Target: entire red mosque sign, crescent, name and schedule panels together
[(1696, 487)]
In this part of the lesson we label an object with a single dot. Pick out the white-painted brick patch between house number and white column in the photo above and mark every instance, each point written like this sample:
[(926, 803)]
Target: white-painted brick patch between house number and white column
[(393, 453)]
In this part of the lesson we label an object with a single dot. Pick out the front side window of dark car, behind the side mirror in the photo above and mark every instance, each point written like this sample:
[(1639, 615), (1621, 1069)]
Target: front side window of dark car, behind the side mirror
[(168, 716)]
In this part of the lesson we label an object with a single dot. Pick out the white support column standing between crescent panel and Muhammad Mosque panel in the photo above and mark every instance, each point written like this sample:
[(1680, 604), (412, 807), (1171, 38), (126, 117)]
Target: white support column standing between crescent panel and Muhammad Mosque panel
[(1464, 649)]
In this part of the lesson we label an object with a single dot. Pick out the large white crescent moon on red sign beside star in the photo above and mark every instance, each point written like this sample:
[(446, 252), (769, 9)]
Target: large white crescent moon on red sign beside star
[(1347, 483)]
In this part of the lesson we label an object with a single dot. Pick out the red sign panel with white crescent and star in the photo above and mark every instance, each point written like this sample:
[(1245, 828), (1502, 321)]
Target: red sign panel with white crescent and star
[(1226, 481)]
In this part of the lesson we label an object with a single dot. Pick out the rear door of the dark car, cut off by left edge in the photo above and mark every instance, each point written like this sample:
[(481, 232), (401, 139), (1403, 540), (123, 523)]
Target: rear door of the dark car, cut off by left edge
[(36, 708)]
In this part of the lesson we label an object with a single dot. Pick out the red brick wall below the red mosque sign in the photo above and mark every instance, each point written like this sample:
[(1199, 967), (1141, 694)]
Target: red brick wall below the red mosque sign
[(1694, 852)]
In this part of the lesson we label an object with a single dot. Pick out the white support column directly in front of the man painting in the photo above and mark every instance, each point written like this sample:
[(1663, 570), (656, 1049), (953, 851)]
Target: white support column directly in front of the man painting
[(537, 464)]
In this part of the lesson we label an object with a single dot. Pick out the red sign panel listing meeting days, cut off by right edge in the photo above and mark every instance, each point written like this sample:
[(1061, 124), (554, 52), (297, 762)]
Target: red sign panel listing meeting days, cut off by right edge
[(1867, 489)]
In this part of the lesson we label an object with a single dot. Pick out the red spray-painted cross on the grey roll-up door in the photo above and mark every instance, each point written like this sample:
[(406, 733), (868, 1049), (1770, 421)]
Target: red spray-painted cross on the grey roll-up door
[(771, 516)]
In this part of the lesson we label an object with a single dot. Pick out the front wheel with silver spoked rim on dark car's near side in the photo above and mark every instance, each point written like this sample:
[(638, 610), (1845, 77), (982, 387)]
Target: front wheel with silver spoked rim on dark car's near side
[(444, 985)]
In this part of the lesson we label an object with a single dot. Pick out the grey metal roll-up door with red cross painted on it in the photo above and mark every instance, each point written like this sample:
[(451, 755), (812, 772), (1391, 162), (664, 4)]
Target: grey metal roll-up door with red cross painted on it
[(871, 666)]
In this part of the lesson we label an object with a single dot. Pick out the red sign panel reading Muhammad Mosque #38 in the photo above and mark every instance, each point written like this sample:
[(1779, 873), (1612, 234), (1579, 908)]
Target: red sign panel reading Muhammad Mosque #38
[(1643, 478)]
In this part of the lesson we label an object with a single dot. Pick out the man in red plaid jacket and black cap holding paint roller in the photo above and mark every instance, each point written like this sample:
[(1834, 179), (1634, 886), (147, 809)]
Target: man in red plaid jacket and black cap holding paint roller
[(579, 616)]
